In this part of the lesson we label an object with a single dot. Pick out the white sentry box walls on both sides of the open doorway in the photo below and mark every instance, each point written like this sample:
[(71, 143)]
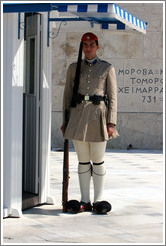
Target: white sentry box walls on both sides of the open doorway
[(13, 78)]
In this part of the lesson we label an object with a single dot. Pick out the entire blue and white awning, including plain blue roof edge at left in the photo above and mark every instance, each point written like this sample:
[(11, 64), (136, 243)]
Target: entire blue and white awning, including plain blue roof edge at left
[(98, 13)]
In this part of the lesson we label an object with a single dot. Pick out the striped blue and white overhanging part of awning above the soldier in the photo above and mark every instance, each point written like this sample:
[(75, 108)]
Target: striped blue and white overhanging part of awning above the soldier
[(105, 14)]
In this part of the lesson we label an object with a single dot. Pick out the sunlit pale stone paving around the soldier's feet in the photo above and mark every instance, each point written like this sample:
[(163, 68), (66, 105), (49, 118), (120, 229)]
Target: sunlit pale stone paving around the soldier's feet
[(134, 186)]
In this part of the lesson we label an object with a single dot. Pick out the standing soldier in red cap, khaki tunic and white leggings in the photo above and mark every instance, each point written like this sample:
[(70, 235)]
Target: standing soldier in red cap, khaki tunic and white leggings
[(90, 100)]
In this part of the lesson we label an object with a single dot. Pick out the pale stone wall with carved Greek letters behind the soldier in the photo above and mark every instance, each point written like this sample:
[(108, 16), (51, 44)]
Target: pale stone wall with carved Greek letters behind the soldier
[(138, 60)]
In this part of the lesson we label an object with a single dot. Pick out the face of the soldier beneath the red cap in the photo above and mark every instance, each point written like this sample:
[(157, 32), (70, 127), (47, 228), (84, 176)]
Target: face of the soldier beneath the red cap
[(89, 48)]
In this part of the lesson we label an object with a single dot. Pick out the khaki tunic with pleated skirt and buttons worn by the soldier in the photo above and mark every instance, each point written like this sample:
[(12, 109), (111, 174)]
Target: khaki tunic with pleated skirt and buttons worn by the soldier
[(88, 122)]
